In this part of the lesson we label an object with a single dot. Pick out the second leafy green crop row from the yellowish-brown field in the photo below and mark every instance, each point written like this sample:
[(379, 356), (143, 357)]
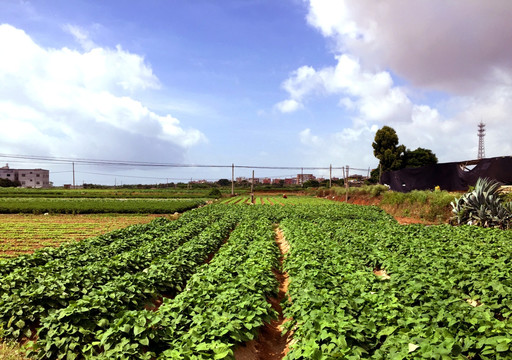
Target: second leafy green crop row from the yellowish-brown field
[(34, 294)]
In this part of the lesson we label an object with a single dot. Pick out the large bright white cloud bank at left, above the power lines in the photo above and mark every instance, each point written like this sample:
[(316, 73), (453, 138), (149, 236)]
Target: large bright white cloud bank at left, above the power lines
[(62, 102)]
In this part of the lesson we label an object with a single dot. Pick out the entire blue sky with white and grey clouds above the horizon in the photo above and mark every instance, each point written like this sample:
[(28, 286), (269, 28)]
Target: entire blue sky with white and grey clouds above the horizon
[(252, 82)]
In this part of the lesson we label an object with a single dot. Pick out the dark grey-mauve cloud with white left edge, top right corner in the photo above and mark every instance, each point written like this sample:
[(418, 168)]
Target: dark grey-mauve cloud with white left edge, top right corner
[(452, 46)]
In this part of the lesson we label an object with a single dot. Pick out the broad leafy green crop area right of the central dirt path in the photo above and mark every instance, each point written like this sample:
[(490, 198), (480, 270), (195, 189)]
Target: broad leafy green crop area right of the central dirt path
[(378, 290)]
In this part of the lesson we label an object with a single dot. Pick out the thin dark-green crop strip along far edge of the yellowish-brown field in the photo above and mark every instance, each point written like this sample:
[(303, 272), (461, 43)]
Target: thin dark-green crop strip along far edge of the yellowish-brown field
[(95, 206)]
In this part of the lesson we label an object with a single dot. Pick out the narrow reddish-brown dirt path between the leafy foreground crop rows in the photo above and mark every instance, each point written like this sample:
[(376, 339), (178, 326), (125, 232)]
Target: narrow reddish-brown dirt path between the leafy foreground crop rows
[(270, 344)]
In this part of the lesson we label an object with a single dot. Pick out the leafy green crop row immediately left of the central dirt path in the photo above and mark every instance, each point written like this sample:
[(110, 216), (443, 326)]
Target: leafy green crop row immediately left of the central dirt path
[(224, 304)]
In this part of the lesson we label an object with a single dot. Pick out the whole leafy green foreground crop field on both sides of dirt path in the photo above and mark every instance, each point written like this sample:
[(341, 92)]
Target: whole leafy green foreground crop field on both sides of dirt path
[(361, 286)]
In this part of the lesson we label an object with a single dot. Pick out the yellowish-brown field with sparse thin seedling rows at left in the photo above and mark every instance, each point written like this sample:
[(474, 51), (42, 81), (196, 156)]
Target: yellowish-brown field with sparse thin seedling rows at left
[(24, 233)]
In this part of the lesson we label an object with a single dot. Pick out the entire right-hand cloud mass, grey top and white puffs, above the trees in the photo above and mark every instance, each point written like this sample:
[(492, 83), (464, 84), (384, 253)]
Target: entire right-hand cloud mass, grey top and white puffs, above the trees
[(460, 49)]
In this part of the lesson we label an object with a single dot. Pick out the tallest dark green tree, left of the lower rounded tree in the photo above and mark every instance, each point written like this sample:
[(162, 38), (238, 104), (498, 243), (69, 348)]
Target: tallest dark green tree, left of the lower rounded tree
[(386, 149)]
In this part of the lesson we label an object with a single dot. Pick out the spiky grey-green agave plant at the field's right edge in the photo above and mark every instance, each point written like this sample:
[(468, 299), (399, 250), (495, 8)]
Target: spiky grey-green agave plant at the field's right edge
[(483, 206)]
